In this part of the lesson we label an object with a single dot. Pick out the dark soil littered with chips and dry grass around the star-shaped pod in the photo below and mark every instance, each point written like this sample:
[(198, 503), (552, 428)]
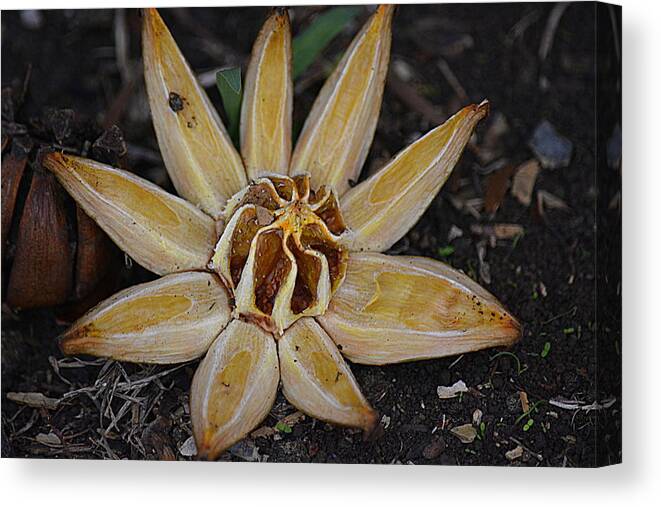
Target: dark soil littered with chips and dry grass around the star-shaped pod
[(552, 400)]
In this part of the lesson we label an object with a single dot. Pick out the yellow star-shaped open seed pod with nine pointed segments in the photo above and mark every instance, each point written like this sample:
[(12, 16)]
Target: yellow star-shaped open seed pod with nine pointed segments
[(271, 262)]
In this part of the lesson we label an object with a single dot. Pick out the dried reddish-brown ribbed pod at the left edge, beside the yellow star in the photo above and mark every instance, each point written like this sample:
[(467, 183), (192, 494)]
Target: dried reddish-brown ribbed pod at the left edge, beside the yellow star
[(53, 254)]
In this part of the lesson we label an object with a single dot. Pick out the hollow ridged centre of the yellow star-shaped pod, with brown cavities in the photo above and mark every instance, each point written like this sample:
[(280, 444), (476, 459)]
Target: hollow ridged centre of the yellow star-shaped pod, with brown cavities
[(282, 252)]
